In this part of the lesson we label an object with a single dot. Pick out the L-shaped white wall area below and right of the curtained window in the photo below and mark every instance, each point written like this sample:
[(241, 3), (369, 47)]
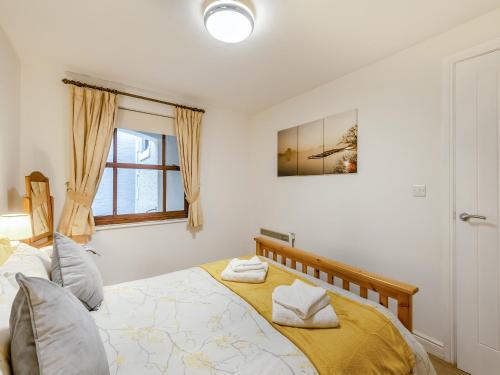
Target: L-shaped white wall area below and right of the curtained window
[(152, 250)]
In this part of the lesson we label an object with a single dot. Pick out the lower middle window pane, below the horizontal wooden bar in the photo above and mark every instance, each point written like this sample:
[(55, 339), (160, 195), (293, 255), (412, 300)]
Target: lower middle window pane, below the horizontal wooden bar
[(139, 191)]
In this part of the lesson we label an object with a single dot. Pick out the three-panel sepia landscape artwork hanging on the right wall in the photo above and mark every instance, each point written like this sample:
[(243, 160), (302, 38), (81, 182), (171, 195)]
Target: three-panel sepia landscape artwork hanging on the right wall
[(326, 146)]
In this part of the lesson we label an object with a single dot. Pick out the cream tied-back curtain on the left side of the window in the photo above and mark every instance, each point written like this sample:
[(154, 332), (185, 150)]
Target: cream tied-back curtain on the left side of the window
[(93, 120)]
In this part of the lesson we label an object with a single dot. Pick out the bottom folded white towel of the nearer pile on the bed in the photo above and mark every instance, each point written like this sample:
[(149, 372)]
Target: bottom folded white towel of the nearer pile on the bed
[(324, 318)]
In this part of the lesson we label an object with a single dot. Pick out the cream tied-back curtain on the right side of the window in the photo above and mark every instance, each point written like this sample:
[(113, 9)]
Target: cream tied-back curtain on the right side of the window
[(188, 128)]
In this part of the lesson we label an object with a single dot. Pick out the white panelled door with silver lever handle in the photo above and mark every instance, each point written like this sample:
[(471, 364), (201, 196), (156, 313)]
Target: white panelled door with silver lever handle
[(477, 149)]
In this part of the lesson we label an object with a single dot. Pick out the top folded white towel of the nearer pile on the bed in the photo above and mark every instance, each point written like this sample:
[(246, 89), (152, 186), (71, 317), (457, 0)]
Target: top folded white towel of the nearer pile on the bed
[(301, 298)]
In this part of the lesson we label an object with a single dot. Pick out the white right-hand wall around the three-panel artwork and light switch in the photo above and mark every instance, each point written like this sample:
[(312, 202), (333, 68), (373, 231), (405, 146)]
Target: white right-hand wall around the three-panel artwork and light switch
[(370, 219)]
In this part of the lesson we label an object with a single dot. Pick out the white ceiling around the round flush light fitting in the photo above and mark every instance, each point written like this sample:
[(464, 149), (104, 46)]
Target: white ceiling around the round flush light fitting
[(162, 45)]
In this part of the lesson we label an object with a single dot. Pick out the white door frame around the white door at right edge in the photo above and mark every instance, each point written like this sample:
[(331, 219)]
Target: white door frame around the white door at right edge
[(449, 205)]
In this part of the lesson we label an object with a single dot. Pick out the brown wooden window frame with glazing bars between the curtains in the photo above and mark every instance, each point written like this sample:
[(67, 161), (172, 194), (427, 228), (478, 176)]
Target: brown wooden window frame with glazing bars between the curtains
[(142, 217)]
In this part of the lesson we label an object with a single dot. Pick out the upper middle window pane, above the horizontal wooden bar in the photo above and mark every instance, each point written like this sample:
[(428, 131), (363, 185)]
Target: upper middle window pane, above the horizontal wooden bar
[(138, 147)]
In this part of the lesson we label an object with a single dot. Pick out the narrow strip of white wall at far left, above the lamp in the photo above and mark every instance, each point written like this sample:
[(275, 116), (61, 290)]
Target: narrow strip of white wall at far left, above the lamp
[(9, 124)]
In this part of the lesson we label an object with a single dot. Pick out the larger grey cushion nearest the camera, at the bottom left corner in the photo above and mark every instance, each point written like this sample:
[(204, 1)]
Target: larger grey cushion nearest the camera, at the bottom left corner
[(52, 333)]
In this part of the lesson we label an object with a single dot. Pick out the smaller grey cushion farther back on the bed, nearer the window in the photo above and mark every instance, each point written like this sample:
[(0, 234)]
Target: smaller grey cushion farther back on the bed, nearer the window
[(74, 269)]
